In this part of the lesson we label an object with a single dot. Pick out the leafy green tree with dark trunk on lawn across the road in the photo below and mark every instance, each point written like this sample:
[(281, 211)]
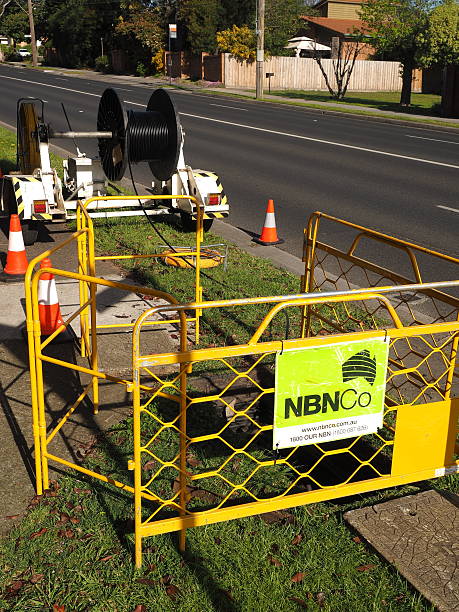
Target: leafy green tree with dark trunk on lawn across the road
[(398, 31)]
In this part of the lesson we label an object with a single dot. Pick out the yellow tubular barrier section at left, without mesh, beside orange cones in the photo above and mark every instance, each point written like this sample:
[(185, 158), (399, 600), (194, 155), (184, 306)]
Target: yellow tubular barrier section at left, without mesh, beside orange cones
[(87, 314)]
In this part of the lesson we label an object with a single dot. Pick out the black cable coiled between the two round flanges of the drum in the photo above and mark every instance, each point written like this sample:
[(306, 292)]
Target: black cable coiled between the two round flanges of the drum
[(148, 136)]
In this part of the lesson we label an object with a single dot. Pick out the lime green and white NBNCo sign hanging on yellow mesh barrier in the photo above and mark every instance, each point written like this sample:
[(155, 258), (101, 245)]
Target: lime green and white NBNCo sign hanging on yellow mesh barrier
[(329, 392)]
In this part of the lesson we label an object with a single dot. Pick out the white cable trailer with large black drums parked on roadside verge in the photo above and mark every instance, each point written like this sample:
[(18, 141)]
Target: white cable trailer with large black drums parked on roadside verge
[(38, 195)]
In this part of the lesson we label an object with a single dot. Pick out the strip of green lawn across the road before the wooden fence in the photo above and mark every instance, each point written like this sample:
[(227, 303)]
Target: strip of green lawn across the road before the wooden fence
[(421, 104)]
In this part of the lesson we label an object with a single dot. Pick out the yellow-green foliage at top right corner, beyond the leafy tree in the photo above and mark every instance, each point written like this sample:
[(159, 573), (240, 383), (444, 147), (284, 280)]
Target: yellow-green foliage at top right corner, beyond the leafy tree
[(443, 34)]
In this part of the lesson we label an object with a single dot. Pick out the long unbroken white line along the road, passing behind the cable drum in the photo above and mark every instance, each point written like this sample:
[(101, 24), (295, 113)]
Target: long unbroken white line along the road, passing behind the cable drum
[(257, 129)]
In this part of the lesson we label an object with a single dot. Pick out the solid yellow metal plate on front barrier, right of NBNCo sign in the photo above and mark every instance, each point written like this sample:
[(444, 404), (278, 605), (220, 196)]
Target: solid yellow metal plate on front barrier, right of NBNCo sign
[(423, 435)]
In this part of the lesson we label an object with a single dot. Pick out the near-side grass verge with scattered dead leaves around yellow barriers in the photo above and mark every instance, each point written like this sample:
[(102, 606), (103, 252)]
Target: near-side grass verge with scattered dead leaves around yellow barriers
[(73, 550)]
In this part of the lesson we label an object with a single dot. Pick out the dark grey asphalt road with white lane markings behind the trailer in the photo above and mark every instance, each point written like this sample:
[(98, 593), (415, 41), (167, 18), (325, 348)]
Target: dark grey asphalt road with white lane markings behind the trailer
[(392, 178)]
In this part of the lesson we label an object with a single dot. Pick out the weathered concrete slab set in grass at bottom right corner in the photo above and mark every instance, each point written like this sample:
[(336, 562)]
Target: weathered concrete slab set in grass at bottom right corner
[(419, 534)]
